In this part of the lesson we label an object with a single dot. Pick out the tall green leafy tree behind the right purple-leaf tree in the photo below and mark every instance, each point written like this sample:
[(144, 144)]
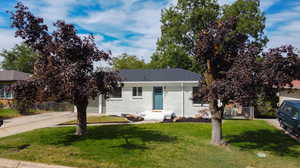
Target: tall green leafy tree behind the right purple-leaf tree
[(182, 23)]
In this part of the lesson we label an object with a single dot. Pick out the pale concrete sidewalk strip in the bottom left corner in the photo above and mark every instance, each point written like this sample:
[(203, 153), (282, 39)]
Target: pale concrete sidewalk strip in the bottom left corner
[(6, 163)]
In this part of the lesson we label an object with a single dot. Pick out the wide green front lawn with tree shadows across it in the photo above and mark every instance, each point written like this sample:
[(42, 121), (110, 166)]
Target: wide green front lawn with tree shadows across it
[(169, 145)]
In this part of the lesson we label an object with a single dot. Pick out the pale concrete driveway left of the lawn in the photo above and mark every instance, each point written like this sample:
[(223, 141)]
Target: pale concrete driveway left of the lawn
[(27, 123)]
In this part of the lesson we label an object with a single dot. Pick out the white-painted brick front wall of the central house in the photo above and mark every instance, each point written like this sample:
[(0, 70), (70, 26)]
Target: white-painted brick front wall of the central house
[(173, 98)]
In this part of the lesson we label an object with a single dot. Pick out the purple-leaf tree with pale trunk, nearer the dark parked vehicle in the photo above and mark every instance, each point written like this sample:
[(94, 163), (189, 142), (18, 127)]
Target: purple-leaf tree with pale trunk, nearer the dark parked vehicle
[(237, 69)]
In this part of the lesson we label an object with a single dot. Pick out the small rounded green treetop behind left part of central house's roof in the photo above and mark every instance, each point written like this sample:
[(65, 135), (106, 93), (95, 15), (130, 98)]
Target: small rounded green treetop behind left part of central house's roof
[(126, 61)]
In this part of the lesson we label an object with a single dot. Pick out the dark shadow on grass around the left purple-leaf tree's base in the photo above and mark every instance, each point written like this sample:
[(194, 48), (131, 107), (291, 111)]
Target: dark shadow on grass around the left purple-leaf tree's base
[(130, 137)]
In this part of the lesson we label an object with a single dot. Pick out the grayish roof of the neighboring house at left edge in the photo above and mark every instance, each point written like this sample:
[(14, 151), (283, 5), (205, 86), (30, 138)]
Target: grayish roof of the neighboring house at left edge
[(12, 75)]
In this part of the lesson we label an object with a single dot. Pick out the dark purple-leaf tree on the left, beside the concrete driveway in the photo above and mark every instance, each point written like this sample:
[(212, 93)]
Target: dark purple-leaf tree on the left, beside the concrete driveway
[(64, 71)]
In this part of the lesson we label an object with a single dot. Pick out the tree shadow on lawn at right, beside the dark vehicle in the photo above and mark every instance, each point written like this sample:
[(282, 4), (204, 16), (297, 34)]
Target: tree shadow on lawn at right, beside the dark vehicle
[(275, 142)]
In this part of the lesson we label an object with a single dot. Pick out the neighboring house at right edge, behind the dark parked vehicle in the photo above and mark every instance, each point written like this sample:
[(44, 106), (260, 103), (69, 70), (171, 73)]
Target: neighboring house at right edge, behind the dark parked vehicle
[(290, 94)]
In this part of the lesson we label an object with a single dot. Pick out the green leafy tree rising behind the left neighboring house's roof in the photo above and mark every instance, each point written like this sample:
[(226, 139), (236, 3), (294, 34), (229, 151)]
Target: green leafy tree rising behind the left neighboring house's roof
[(20, 58)]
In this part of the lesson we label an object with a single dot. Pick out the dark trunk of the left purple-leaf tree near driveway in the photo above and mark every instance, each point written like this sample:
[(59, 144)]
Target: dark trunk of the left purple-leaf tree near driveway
[(81, 119)]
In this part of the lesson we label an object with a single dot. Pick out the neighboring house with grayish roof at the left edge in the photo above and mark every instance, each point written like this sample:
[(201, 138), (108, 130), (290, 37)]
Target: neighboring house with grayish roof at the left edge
[(7, 78)]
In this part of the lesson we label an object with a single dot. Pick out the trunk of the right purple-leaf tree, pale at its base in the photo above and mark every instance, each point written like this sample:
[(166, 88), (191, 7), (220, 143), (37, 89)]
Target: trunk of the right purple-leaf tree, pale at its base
[(216, 114)]
